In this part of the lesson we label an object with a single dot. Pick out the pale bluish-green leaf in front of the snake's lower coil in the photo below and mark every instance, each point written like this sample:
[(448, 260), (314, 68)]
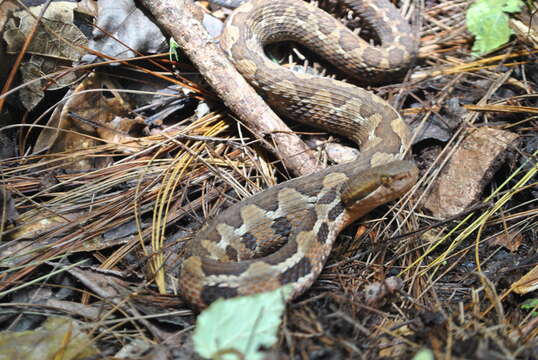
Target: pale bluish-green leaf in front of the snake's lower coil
[(236, 328)]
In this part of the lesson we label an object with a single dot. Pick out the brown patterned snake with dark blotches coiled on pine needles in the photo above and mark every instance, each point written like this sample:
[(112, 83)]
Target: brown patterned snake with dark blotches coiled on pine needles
[(283, 235)]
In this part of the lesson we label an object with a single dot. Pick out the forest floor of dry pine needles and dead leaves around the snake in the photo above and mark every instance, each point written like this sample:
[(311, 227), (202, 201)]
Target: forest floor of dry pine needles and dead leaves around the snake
[(110, 166)]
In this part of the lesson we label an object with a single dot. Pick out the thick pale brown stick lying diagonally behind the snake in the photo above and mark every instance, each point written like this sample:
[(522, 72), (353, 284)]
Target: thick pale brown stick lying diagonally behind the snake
[(181, 18)]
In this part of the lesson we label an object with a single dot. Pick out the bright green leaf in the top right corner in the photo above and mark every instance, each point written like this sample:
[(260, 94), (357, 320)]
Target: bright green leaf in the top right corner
[(487, 20)]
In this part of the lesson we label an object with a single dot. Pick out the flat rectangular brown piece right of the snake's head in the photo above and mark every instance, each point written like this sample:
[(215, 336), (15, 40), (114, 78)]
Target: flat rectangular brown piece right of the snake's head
[(471, 167)]
